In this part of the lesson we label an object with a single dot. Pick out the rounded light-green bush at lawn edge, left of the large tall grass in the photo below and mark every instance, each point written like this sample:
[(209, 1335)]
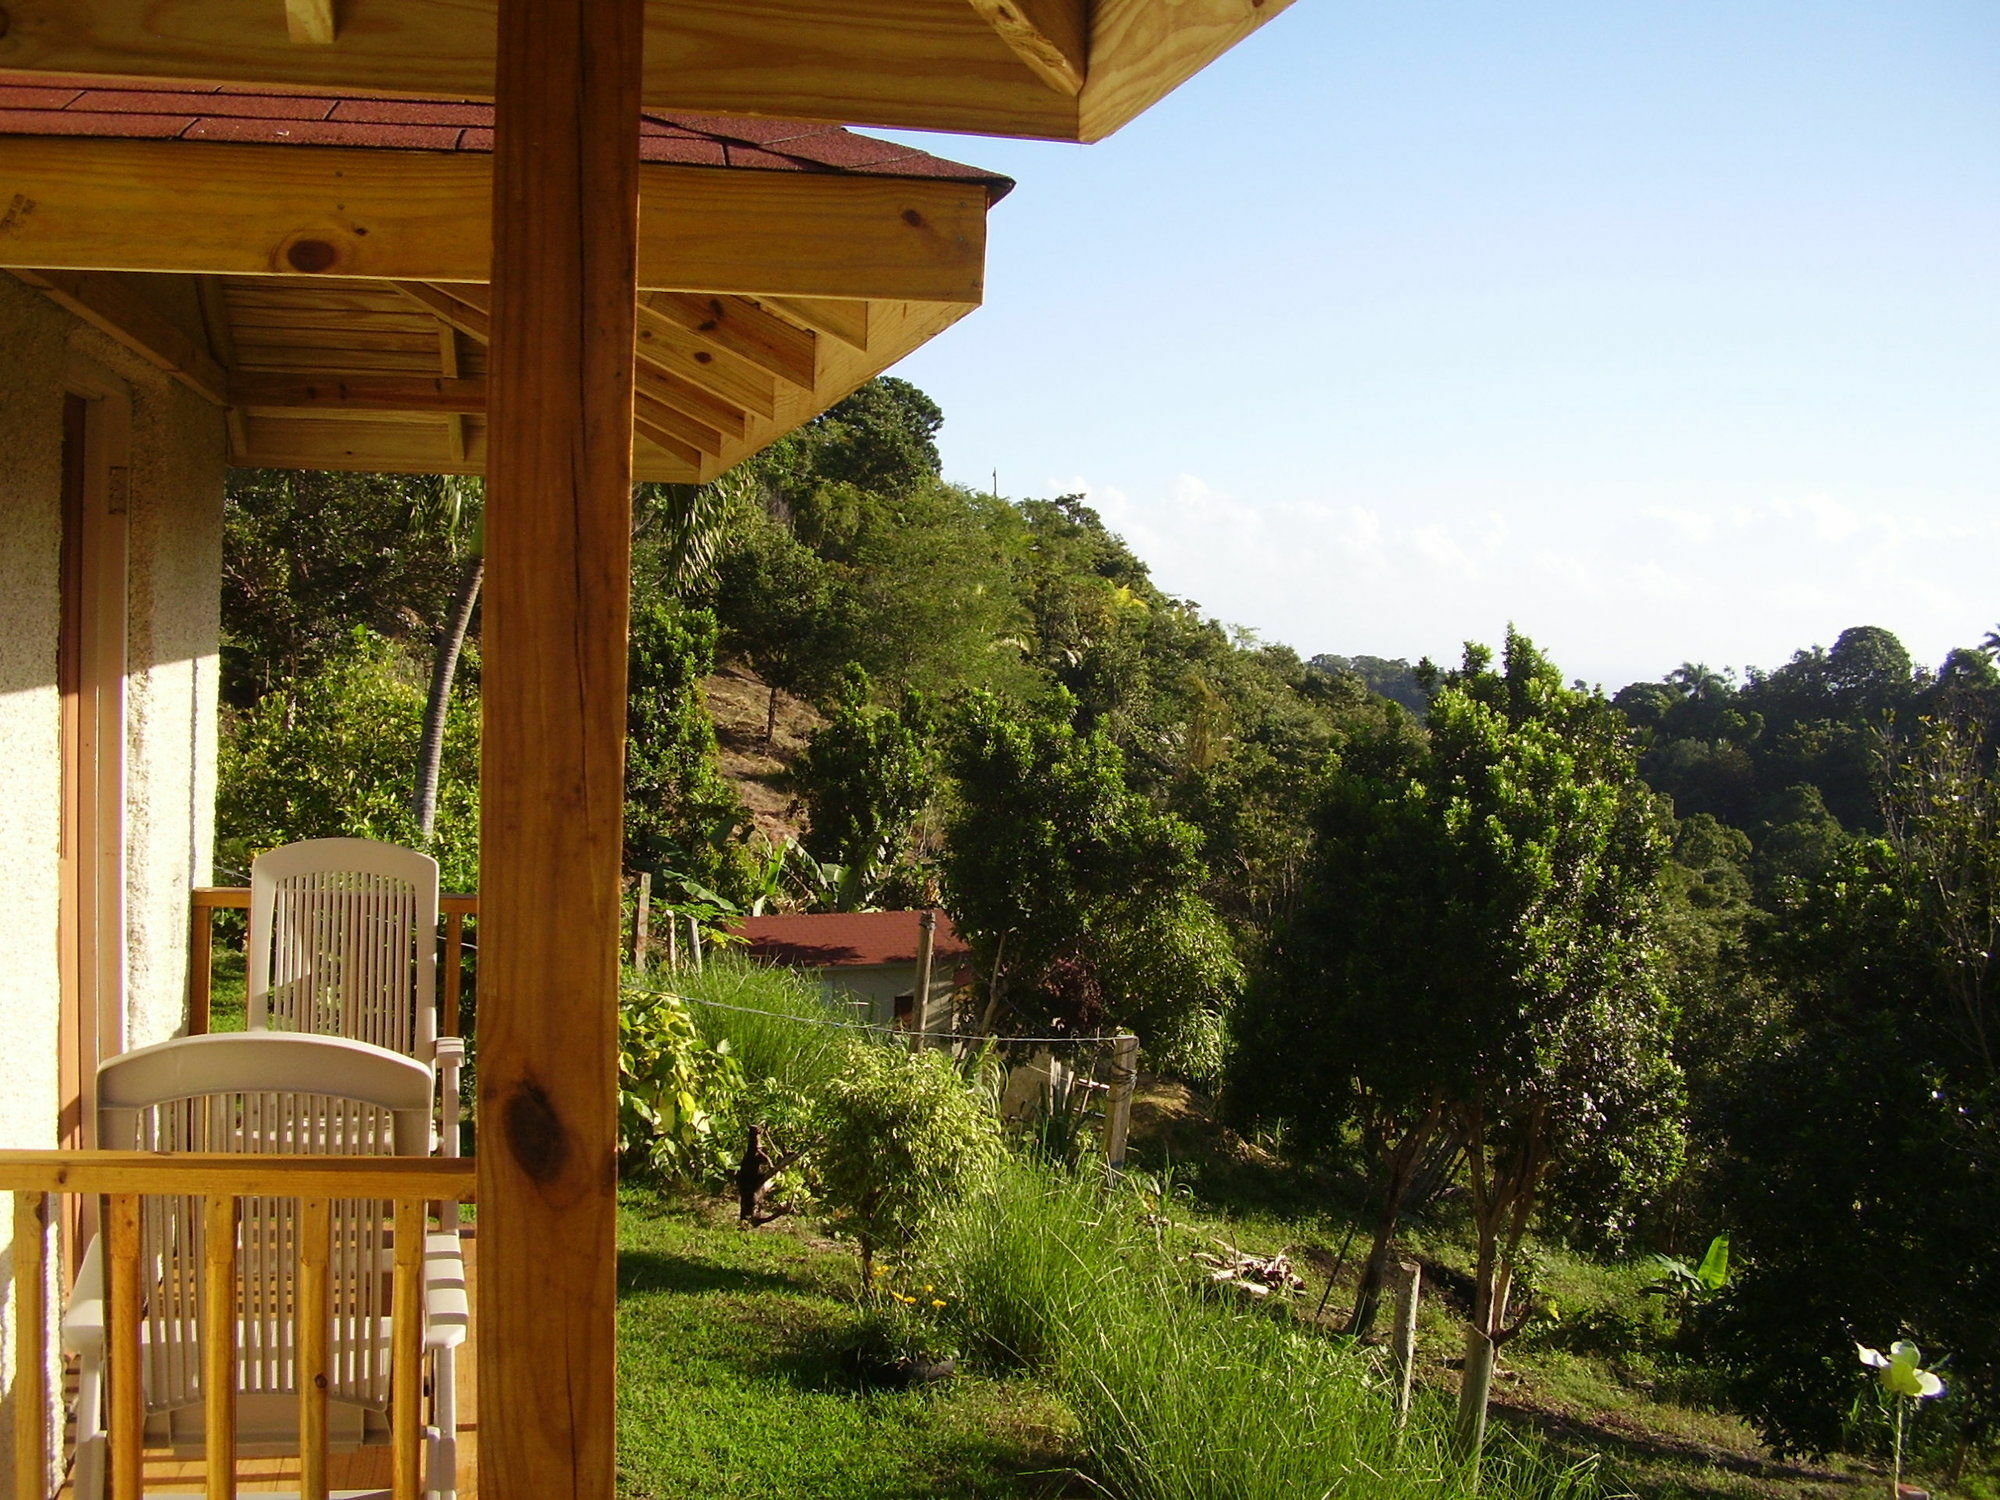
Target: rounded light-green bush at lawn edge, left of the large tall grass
[(901, 1139)]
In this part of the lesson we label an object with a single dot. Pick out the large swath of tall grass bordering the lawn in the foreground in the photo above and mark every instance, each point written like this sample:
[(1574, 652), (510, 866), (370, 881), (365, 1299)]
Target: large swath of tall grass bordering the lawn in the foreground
[(1179, 1395)]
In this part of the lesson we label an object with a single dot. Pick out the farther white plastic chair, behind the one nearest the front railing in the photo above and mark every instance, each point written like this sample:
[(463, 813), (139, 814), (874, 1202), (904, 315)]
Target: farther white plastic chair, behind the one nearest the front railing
[(345, 943)]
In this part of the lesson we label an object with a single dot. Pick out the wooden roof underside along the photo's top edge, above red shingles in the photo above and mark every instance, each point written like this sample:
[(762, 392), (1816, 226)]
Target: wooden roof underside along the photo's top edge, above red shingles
[(933, 65)]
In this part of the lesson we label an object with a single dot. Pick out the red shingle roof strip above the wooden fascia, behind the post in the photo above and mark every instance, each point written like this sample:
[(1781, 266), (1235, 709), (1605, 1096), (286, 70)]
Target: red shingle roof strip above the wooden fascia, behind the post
[(109, 109)]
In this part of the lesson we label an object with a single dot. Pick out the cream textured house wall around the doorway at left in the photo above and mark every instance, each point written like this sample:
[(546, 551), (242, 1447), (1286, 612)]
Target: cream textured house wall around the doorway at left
[(175, 557)]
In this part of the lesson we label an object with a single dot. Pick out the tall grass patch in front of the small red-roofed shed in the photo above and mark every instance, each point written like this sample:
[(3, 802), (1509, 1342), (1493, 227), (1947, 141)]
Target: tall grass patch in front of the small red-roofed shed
[(789, 1043)]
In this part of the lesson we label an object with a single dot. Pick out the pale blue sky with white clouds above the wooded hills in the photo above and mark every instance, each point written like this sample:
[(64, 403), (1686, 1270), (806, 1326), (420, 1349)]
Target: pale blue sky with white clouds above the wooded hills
[(1663, 331)]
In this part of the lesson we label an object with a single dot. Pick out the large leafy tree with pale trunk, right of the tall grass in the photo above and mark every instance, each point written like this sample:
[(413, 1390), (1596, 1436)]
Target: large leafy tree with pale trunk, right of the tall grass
[(1481, 955)]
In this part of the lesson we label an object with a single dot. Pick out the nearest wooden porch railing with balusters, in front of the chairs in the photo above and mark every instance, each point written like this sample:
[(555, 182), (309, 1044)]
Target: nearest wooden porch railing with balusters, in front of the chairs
[(409, 1183)]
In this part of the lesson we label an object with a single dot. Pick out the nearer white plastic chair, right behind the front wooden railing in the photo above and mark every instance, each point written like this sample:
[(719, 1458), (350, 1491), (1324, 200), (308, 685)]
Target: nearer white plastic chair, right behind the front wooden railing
[(267, 1093)]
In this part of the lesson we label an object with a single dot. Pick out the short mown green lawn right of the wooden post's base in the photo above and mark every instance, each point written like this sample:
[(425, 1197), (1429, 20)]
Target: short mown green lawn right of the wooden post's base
[(735, 1381)]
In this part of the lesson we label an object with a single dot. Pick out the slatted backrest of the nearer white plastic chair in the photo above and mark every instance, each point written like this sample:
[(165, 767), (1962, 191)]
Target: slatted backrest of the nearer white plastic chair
[(265, 1093)]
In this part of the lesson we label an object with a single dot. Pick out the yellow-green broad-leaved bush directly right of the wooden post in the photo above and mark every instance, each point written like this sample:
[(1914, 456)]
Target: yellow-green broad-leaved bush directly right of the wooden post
[(671, 1087)]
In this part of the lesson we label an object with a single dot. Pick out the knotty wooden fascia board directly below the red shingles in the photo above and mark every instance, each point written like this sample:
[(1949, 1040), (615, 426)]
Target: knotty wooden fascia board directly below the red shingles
[(423, 217)]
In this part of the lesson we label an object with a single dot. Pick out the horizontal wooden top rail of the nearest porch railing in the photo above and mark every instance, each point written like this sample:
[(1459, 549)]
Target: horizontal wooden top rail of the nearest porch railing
[(237, 1175)]
